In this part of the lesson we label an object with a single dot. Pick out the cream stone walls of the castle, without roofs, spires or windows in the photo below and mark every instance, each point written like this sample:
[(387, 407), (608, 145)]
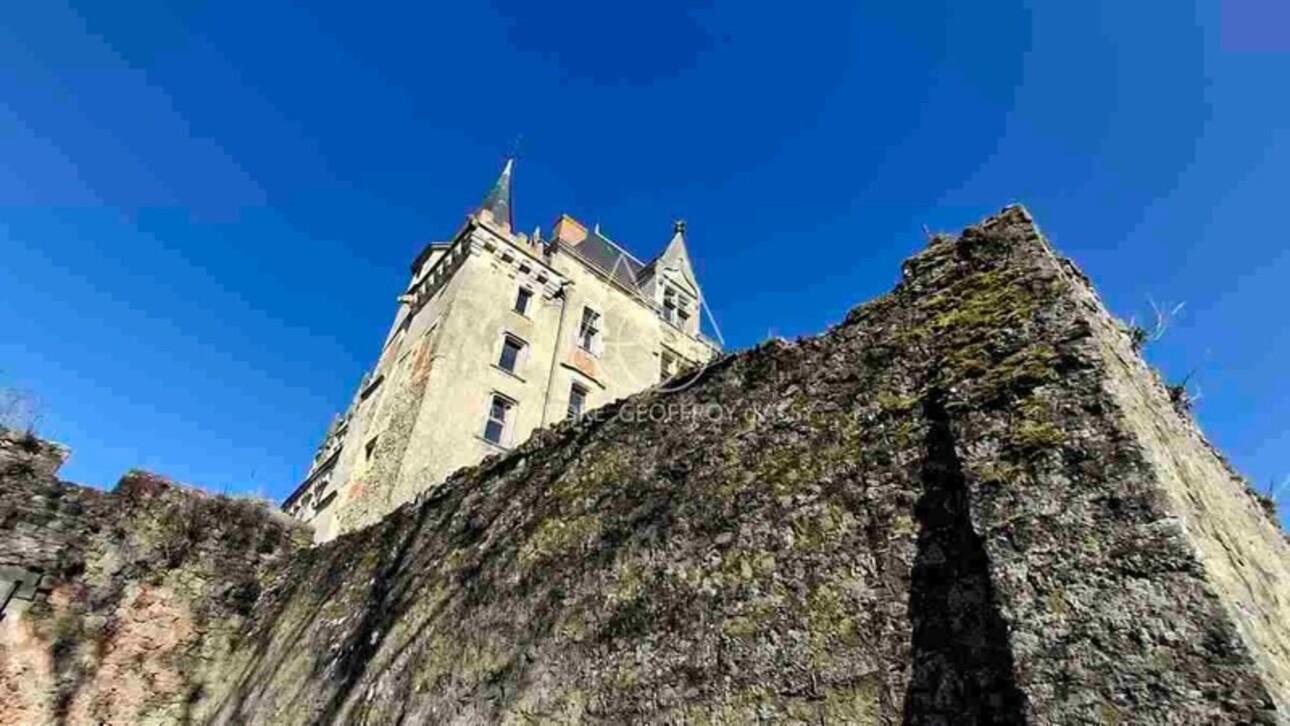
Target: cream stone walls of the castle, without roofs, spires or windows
[(424, 409)]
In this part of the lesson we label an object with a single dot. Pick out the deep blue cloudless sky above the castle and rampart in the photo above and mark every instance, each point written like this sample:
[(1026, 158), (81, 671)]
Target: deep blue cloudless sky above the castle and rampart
[(208, 210)]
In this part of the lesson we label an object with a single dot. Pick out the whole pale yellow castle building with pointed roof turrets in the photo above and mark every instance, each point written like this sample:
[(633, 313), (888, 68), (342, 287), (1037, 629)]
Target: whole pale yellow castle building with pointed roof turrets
[(499, 335)]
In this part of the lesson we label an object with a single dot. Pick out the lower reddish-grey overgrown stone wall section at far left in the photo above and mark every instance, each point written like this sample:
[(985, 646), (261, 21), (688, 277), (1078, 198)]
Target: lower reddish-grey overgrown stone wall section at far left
[(130, 602)]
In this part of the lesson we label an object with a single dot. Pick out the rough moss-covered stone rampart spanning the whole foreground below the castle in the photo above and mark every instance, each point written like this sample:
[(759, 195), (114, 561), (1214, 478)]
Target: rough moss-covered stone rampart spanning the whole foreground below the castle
[(972, 502)]
